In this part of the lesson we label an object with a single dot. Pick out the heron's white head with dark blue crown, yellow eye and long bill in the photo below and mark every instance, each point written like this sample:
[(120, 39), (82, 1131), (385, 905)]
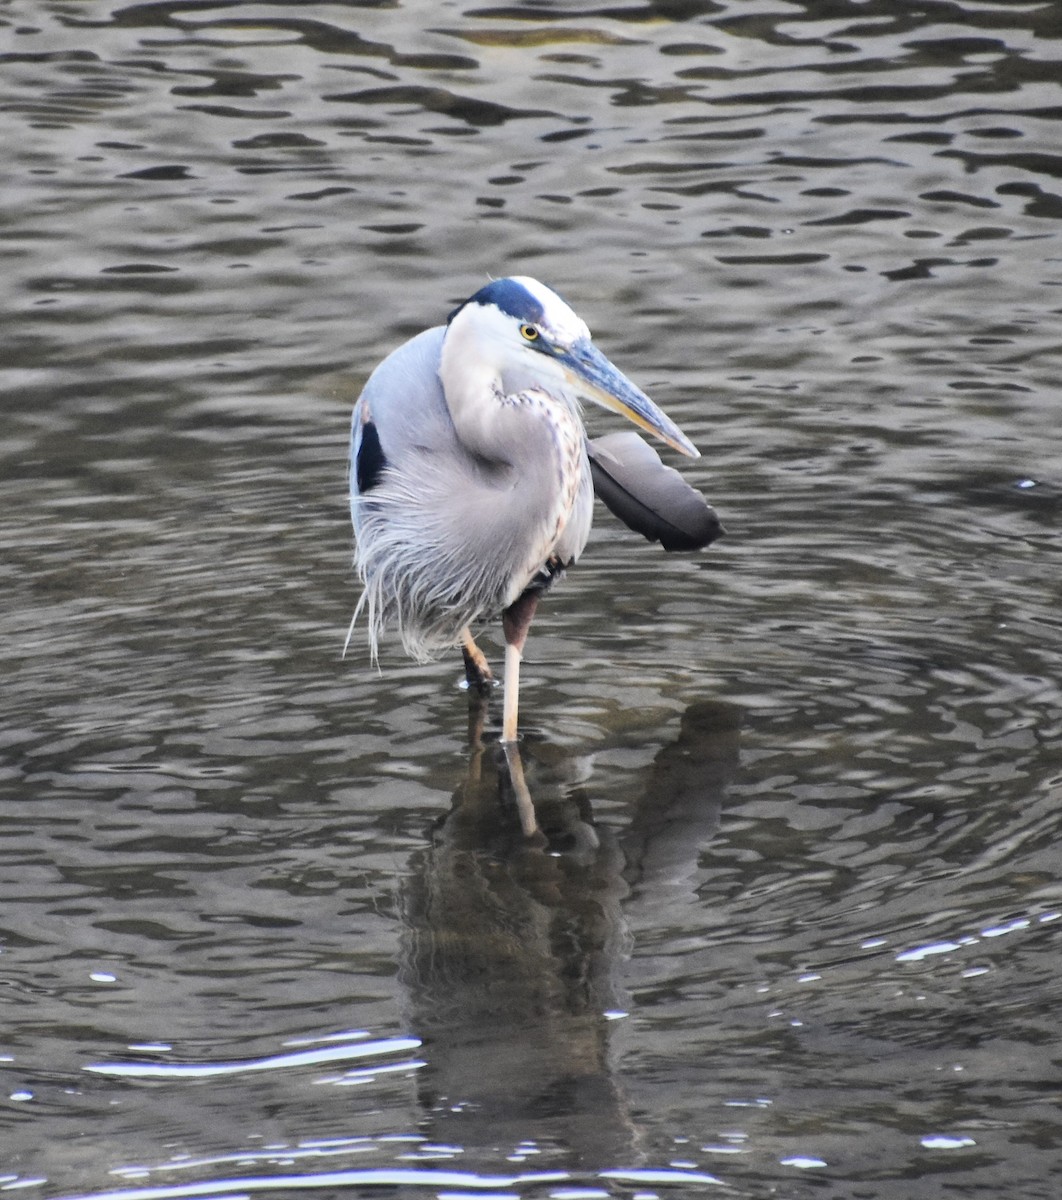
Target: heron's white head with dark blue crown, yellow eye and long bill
[(529, 334)]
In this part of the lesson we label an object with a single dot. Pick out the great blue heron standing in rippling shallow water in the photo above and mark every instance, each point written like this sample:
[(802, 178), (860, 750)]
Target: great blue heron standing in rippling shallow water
[(472, 479)]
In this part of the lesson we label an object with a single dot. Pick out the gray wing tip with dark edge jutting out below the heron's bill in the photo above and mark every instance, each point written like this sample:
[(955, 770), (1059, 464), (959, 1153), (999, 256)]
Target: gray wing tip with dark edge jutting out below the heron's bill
[(650, 497)]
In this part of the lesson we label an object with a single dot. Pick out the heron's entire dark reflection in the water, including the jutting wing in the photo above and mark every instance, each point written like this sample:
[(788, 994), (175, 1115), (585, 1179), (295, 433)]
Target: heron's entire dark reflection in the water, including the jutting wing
[(514, 946)]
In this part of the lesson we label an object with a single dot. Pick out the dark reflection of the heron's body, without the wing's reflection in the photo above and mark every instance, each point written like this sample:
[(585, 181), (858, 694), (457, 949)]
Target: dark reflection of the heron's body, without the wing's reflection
[(512, 951)]
